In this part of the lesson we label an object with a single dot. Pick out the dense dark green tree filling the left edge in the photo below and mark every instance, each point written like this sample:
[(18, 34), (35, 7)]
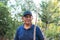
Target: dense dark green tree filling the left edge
[(7, 24)]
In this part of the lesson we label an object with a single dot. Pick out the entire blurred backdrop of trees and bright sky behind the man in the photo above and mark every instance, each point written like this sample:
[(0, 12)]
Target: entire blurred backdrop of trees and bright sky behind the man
[(47, 11)]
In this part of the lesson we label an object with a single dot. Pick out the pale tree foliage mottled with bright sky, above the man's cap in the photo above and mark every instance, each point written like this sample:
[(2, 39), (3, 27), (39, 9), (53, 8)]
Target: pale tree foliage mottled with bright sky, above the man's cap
[(22, 6)]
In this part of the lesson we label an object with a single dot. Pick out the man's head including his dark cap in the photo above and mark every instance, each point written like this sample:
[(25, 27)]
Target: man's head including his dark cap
[(27, 17)]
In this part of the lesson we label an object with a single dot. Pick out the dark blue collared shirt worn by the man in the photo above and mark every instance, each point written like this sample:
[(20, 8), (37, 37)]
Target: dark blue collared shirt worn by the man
[(23, 34)]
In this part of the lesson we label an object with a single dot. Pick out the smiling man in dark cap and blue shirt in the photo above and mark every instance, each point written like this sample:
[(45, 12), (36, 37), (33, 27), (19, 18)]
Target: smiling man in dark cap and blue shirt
[(26, 30)]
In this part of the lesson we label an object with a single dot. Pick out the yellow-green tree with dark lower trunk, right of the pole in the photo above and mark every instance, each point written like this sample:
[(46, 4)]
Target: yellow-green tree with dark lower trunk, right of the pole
[(49, 12)]
